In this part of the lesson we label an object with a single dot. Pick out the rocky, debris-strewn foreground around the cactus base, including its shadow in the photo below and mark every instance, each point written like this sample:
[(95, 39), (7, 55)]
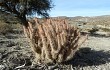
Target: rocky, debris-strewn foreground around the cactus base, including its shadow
[(16, 54)]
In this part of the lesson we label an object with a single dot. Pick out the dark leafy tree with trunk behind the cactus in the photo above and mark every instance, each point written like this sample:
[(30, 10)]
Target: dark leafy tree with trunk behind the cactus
[(23, 8)]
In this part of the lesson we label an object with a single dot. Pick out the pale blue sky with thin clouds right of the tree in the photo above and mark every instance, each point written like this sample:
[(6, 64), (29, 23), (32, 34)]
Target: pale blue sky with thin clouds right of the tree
[(73, 8)]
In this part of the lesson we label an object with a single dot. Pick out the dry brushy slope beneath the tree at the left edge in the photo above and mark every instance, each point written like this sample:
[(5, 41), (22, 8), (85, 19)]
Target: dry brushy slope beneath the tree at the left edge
[(8, 23)]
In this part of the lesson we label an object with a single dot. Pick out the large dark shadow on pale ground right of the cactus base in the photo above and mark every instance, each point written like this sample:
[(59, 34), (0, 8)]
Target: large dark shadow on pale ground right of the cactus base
[(89, 57)]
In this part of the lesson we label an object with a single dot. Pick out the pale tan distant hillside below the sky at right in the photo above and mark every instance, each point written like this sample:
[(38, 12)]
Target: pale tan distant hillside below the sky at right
[(103, 20)]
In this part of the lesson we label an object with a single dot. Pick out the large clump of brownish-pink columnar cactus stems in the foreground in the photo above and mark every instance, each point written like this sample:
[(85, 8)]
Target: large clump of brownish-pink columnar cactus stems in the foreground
[(54, 40)]
